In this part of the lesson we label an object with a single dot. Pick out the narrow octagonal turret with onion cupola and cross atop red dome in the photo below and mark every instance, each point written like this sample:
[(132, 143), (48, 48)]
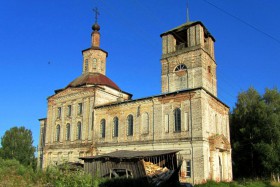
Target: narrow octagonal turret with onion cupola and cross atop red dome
[(94, 58)]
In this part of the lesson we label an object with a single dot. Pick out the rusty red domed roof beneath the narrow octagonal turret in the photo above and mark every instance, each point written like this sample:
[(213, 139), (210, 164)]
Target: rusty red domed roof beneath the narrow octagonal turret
[(93, 79)]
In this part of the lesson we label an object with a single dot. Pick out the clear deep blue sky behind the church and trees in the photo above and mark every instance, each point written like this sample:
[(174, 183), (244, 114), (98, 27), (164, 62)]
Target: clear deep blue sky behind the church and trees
[(41, 44)]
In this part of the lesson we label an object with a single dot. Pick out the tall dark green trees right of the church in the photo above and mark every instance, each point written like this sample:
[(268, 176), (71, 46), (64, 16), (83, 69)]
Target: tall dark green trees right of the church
[(255, 133)]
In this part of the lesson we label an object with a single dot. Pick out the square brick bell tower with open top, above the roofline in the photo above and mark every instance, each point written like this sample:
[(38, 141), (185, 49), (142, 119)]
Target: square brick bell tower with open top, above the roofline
[(188, 59)]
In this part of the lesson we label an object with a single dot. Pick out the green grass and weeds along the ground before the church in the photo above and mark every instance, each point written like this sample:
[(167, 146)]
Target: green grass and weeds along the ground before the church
[(13, 174)]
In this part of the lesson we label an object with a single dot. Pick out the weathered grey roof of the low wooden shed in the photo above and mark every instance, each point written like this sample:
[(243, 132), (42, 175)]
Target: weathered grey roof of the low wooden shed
[(126, 154)]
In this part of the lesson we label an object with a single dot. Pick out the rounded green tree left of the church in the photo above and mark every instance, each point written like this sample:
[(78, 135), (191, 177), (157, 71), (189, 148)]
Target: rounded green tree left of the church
[(17, 144)]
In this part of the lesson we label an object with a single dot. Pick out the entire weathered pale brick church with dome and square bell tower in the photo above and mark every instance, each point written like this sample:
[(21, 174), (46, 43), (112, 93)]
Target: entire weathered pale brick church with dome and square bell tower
[(93, 116)]
